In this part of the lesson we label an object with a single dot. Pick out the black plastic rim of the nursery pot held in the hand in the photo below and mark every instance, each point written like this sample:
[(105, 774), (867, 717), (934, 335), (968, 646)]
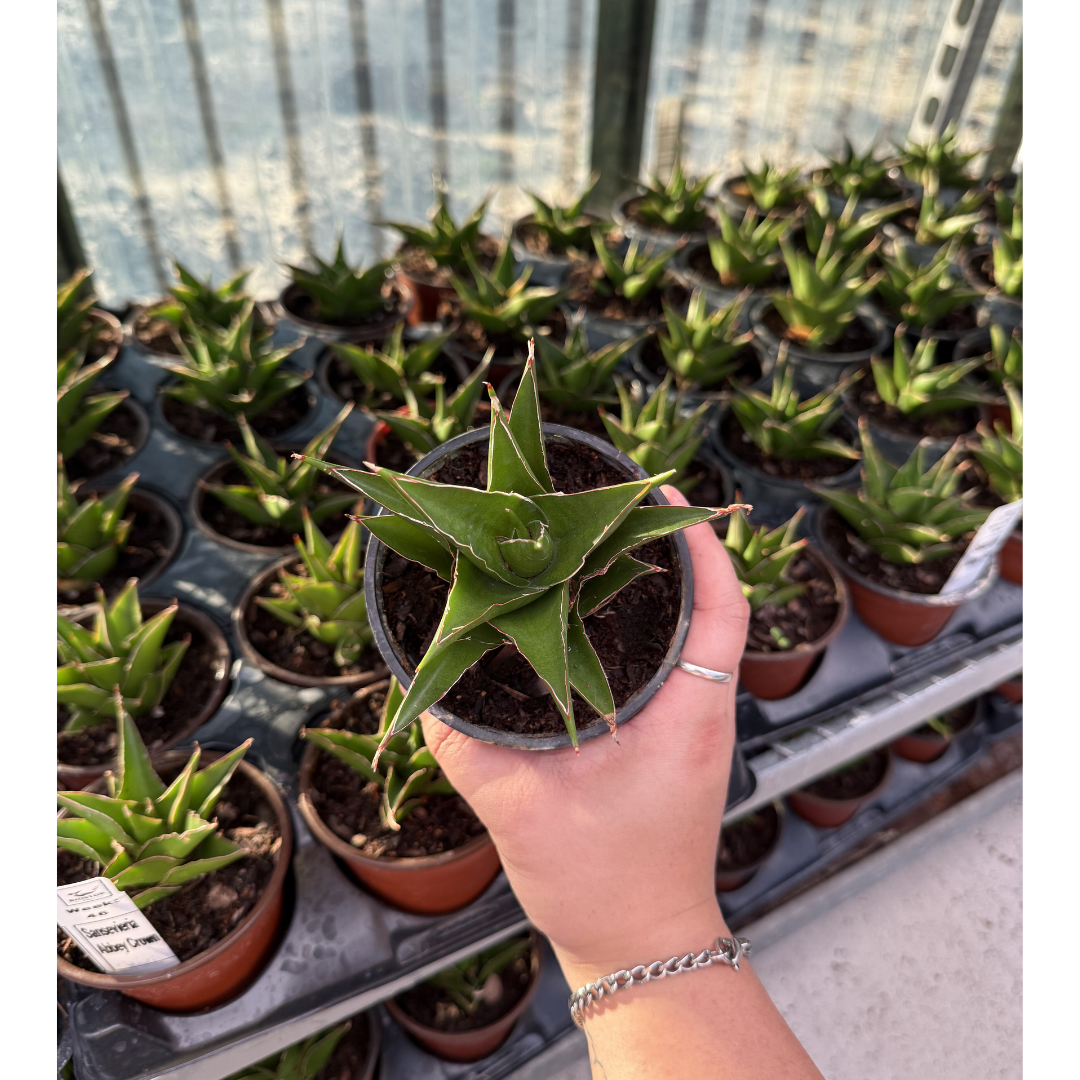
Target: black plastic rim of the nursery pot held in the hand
[(386, 644)]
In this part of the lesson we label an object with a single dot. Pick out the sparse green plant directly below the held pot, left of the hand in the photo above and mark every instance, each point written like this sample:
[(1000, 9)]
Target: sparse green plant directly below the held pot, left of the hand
[(407, 771)]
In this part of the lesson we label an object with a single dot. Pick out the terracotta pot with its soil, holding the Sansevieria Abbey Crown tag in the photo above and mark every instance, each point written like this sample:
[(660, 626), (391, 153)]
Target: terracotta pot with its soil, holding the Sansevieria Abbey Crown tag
[(223, 927)]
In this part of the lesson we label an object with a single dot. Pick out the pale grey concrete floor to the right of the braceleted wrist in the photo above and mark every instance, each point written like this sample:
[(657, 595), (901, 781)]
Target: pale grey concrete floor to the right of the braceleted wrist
[(909, 966)]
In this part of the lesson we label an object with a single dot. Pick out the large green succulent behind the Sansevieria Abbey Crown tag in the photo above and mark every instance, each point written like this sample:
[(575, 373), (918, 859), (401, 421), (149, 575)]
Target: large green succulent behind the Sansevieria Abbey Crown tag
[(148, 839)]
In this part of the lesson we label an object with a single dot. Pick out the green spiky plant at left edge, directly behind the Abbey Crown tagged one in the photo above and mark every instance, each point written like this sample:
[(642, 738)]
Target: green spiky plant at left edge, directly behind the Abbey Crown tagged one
[(121, 652)]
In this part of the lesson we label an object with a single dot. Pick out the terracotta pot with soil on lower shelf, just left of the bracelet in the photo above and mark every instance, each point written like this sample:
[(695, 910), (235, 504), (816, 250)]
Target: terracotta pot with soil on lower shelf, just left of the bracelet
[(436, 1022)]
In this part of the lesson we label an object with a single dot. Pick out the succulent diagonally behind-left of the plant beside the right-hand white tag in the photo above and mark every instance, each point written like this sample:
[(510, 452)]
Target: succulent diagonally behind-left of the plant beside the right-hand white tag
[(787, 428)]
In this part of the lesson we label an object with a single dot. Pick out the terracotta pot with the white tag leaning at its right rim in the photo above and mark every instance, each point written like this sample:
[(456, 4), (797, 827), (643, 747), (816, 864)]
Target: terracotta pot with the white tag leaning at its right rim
[(900, 617)]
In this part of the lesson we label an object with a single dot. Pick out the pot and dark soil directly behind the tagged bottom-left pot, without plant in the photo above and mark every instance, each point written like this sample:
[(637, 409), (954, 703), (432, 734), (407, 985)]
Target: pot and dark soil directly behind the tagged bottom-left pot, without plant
[(194, 697)]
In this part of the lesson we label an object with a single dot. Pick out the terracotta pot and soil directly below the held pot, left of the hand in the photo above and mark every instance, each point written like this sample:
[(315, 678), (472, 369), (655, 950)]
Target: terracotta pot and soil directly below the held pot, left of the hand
[(438, 861)]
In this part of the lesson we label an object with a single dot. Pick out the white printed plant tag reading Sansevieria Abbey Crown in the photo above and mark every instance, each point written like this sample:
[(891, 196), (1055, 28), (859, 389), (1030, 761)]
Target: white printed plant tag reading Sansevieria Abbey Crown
[(107, 926)]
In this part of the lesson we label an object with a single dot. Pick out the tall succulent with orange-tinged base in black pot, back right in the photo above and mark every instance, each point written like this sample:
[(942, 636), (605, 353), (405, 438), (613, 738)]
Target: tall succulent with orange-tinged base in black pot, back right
[(826, 292)]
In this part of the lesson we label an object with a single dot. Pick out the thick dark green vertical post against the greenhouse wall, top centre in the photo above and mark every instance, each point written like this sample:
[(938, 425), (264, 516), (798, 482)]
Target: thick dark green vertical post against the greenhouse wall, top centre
[(624, 49)]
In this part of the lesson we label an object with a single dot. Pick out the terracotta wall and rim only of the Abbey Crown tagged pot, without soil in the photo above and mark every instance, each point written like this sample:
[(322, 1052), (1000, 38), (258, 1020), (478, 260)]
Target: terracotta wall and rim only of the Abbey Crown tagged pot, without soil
[(225, 970)]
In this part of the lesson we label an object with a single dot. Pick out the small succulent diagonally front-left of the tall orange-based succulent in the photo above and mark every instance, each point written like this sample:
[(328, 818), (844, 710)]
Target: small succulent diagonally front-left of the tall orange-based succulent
[(701, 349)]
